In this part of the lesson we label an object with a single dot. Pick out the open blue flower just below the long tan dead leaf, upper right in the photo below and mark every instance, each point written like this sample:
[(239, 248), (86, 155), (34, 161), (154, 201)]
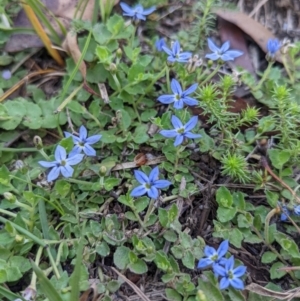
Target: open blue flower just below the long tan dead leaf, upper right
[(222, 53)]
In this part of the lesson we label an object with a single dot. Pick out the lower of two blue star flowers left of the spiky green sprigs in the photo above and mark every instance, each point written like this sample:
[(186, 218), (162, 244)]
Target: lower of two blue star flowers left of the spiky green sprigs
[(181, 131)]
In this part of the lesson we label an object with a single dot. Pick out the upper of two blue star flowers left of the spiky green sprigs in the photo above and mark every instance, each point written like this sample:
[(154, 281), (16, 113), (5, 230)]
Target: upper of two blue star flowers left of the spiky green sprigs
[(179, 97)]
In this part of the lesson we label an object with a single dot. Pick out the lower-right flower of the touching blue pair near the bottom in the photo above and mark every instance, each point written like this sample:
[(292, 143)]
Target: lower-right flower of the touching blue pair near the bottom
[(231, 276)]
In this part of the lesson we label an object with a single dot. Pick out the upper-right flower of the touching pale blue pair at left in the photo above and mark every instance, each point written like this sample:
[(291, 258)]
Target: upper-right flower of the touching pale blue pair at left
[(83, 143)]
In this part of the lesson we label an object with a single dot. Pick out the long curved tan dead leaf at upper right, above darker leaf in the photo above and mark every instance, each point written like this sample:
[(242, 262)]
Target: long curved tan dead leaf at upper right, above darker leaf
[(255, 30)]
